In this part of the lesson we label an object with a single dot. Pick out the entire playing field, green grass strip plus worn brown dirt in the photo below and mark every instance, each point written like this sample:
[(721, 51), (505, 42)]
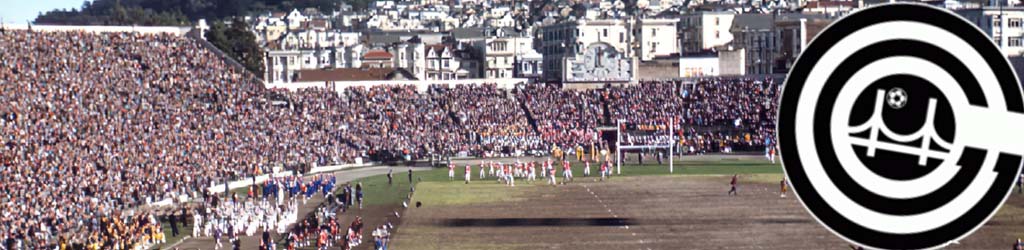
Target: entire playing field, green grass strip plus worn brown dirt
[(646, 207)]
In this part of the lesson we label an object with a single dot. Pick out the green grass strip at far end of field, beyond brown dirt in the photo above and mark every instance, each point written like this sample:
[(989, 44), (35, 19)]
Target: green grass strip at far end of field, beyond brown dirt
[(436, 191)]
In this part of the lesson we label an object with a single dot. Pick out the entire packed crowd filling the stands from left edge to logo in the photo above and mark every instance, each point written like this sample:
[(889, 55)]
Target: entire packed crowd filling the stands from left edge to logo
[(94, 124)]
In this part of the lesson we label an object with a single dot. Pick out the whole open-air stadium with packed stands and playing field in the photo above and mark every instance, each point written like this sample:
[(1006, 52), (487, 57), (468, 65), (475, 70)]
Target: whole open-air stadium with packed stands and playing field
[(137, 138)]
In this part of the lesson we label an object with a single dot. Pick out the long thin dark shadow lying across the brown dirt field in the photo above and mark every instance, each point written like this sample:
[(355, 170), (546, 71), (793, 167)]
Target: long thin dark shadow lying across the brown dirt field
[(501, 223)]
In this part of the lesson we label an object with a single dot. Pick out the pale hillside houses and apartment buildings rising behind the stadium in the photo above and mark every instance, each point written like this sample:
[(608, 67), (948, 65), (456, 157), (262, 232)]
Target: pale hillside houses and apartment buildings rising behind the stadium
[(570, 43)]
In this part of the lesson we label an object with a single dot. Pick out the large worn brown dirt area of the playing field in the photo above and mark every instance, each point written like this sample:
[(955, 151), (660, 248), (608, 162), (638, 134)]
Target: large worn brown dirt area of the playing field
[(648, 213)]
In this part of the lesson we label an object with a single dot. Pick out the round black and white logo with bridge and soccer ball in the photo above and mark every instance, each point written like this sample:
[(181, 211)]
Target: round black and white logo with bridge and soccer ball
[(902, 128)]
